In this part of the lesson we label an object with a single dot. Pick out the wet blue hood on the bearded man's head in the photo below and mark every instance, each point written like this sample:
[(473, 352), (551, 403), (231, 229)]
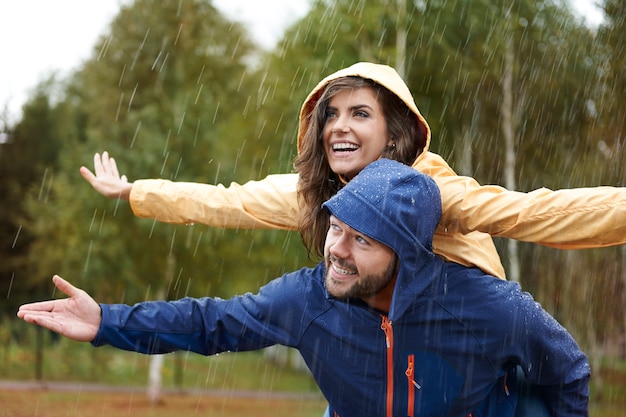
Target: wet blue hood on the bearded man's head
[(398, 206)]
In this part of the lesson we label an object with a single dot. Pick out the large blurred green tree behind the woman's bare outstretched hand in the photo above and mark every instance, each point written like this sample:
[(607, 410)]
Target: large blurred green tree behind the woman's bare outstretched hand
[(167, 92)]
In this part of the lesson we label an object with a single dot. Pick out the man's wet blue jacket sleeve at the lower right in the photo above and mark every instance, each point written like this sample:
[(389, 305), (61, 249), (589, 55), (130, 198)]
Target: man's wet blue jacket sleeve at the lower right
[(514, 329)]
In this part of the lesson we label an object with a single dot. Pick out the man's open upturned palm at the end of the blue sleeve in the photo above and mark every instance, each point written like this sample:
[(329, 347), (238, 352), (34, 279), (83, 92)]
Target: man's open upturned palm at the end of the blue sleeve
[(77, 318)]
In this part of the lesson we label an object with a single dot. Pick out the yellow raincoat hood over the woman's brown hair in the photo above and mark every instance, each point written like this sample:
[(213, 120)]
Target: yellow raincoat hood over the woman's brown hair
[(381, 74)]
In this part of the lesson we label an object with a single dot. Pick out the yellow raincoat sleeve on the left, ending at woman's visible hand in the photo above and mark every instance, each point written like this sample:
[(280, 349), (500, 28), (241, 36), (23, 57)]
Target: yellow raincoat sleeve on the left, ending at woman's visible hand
[(270, 203)]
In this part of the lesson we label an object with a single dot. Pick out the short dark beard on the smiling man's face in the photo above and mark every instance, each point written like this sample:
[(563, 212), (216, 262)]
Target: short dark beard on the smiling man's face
[(367, 286)]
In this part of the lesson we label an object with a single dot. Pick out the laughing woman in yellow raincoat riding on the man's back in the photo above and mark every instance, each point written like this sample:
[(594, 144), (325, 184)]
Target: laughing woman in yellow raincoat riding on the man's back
[(566, 219)]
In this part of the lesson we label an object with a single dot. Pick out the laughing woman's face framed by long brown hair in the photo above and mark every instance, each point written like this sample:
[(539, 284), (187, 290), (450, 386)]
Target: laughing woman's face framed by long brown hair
[(355, 133)]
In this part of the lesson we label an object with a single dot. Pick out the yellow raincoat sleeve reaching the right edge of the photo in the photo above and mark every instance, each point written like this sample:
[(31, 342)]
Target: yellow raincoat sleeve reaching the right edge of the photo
[(575, 218)]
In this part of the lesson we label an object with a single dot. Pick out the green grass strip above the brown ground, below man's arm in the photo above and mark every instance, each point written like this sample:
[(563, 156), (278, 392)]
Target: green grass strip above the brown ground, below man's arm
[(64, 360)]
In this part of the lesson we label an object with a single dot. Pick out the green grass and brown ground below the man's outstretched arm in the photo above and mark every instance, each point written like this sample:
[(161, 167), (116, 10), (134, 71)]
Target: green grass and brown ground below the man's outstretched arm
[(110, 382)]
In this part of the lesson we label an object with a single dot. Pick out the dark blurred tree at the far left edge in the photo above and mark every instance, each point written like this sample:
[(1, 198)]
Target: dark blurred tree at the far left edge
[(28, 160)]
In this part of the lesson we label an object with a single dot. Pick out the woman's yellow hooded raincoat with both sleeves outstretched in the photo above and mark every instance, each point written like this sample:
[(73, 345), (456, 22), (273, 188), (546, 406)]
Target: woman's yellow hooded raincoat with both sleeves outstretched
[(566, 219)]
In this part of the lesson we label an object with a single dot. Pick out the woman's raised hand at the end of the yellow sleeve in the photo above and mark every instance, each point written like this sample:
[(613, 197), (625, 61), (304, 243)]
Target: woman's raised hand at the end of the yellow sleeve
[(107, 180)]
